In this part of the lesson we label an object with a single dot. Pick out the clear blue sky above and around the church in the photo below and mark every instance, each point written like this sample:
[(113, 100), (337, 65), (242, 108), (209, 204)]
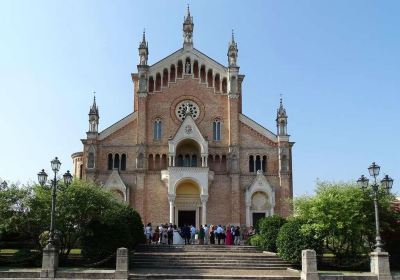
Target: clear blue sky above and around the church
[(337, 64)]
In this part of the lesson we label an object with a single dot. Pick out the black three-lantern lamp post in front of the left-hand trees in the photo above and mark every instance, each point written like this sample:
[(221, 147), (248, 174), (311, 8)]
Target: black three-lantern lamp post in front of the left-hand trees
[(42, 178)]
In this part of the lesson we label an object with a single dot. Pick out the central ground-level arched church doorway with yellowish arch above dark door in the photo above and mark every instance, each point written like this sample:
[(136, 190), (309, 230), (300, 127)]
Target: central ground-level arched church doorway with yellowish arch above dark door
[(187, 203)]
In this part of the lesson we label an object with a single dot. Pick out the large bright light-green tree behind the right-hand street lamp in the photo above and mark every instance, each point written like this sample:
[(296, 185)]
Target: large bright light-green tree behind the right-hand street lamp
[(343, 216)]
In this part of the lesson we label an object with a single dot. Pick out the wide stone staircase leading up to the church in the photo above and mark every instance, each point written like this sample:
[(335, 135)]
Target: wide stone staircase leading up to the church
[(206, 262)]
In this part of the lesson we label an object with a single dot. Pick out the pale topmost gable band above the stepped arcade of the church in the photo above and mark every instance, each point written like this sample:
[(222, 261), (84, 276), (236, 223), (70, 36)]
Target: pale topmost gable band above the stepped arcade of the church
[(181, 54)]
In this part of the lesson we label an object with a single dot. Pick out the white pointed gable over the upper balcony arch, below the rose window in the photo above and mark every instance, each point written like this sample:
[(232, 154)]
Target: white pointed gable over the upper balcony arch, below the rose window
[(188, 130)]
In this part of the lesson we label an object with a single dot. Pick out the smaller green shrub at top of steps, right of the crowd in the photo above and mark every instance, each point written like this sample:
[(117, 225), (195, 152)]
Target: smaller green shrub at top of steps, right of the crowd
[(268, 230)]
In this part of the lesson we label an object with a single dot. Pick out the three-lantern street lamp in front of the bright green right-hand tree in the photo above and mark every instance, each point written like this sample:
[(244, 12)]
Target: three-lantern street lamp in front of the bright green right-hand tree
[(387, 184)]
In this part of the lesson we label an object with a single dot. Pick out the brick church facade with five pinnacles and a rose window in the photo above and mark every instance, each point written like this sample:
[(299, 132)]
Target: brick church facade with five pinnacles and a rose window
[(187, 153)]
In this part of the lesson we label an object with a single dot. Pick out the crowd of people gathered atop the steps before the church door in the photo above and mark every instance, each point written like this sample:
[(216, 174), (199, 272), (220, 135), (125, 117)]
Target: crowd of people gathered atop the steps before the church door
[(189, 234)]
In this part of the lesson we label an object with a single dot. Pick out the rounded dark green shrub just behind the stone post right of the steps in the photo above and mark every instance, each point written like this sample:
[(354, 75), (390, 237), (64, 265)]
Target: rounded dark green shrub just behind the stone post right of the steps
[(292, 239)]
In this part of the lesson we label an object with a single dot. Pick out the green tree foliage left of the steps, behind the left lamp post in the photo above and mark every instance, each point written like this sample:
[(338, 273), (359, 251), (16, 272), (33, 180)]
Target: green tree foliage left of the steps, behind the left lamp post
[(27, 211)]
